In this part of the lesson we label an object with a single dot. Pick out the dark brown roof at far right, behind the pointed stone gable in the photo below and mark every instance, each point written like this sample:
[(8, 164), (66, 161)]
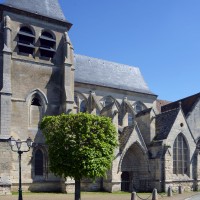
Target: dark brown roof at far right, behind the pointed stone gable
[(186, 104)]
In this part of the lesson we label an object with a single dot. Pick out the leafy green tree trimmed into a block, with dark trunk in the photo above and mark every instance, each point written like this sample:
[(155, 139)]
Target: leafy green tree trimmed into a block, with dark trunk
[(79, 145)]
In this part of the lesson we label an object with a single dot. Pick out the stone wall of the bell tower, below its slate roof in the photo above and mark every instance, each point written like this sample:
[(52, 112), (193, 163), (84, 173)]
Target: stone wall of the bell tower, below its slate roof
[(32, 75)]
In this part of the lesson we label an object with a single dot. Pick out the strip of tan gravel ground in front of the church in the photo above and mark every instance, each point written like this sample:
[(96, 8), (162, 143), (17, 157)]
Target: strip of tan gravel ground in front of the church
[(94, 196)]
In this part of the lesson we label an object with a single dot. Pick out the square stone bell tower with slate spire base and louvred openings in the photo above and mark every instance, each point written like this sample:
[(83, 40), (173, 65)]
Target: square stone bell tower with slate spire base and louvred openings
[(36, 79)]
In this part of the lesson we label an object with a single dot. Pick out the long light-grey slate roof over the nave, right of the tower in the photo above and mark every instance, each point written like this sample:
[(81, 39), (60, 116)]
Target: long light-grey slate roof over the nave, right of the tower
[(109, 74)]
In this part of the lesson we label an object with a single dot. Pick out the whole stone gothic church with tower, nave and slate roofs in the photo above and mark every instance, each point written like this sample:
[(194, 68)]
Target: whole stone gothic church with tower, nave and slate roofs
[(159, 141)]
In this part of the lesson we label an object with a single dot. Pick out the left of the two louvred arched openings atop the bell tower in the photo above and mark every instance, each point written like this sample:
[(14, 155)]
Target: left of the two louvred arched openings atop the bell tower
[(26, 40)]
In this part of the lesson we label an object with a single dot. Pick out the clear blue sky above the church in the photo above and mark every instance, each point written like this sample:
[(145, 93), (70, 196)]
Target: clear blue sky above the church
[(161, 37)]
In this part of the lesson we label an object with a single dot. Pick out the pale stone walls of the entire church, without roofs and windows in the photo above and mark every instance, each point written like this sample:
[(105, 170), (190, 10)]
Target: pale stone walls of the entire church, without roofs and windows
[(51, 80)]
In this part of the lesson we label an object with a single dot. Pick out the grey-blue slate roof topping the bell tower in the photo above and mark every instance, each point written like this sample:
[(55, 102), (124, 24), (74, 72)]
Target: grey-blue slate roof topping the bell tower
[(48, 8)]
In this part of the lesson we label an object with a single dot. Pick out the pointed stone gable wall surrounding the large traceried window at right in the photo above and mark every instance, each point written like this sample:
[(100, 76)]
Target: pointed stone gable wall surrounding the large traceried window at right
[(187, 179)]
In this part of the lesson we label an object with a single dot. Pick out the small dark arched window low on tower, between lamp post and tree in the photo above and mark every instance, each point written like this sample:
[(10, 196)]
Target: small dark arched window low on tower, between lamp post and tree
[(39, 163)]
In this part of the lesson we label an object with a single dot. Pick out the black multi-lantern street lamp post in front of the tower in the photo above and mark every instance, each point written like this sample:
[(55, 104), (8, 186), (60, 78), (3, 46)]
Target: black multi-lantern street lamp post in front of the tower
[(17, 144)]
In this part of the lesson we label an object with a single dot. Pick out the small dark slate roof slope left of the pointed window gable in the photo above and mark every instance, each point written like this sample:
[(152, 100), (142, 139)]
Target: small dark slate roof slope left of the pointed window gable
[(164, 123)]
